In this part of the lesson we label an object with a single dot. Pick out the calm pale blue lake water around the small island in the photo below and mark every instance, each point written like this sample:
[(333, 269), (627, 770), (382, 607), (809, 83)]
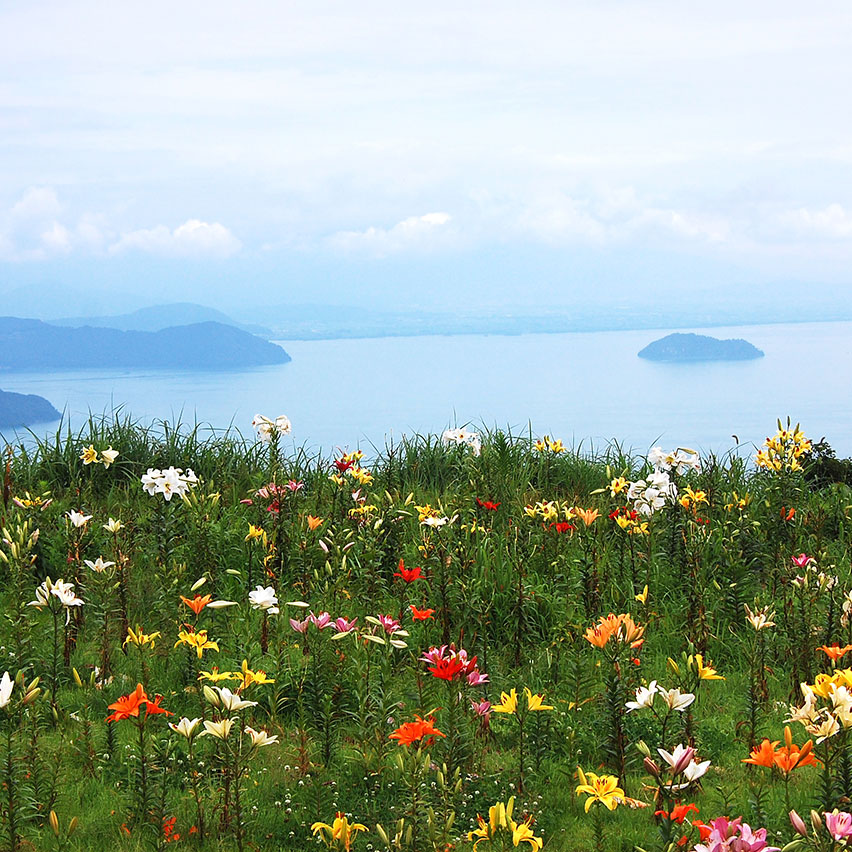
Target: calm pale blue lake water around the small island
[(579, 387)]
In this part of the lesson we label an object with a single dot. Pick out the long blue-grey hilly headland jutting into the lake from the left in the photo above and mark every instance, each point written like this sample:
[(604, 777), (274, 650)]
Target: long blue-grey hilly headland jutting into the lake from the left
[(27, 344)]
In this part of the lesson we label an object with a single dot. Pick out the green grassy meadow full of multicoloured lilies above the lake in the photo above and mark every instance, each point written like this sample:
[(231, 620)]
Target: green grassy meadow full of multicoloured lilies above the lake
[(469, 641)]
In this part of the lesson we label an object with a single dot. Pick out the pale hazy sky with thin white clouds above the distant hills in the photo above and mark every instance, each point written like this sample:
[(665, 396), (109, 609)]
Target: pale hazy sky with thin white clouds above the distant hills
[(449, 155)]
